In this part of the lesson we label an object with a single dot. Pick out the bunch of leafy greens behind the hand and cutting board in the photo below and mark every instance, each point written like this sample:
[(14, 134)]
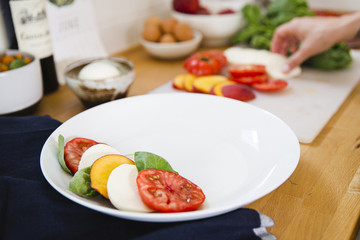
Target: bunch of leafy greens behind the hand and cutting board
[(260, 29)]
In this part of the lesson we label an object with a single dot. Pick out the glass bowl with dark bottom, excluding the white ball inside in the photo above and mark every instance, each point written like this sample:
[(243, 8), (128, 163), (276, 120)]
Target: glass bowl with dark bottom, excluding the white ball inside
[(95, 92)]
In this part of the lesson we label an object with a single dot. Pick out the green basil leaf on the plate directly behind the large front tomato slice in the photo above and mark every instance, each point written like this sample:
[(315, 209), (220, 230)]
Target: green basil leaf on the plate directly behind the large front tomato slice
[(145, 160)]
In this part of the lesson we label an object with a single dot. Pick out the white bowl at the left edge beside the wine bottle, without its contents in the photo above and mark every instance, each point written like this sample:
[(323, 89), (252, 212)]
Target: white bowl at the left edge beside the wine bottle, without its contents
[(21, 88)]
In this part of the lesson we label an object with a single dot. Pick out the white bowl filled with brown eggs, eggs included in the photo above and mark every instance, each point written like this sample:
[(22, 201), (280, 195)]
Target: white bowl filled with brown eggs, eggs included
[(169, 38)]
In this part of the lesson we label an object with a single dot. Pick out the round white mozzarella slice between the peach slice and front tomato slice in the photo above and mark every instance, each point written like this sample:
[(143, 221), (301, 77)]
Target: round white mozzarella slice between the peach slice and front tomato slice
[(122, 189)]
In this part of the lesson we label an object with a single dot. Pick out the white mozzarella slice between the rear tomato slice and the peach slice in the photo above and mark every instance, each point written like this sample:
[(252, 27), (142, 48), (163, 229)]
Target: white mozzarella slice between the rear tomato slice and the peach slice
[(95, 152)]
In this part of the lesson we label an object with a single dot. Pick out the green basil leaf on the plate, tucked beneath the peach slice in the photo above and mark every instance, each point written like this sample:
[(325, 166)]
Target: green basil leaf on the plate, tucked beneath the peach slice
[(80, 183)]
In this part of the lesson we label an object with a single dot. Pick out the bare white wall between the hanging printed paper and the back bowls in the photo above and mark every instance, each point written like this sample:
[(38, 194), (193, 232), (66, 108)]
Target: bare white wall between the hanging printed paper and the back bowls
[(120, 22)]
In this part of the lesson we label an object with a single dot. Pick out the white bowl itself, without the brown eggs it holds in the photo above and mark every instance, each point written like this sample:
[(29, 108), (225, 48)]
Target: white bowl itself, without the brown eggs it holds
[(172, 50)]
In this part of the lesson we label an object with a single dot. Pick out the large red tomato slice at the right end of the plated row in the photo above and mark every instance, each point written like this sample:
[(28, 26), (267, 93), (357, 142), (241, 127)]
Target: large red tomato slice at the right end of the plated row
[(165, 191)]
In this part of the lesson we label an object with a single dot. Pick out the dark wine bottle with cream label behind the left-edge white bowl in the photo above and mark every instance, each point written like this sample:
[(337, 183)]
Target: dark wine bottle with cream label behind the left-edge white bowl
[(33, 36)]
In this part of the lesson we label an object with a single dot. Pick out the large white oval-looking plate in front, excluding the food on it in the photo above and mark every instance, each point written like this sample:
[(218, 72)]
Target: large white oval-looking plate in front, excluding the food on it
[(235, 152)]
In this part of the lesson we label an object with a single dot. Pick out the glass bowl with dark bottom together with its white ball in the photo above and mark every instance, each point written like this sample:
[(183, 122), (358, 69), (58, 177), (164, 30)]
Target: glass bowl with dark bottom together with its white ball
[(98, 80)]
